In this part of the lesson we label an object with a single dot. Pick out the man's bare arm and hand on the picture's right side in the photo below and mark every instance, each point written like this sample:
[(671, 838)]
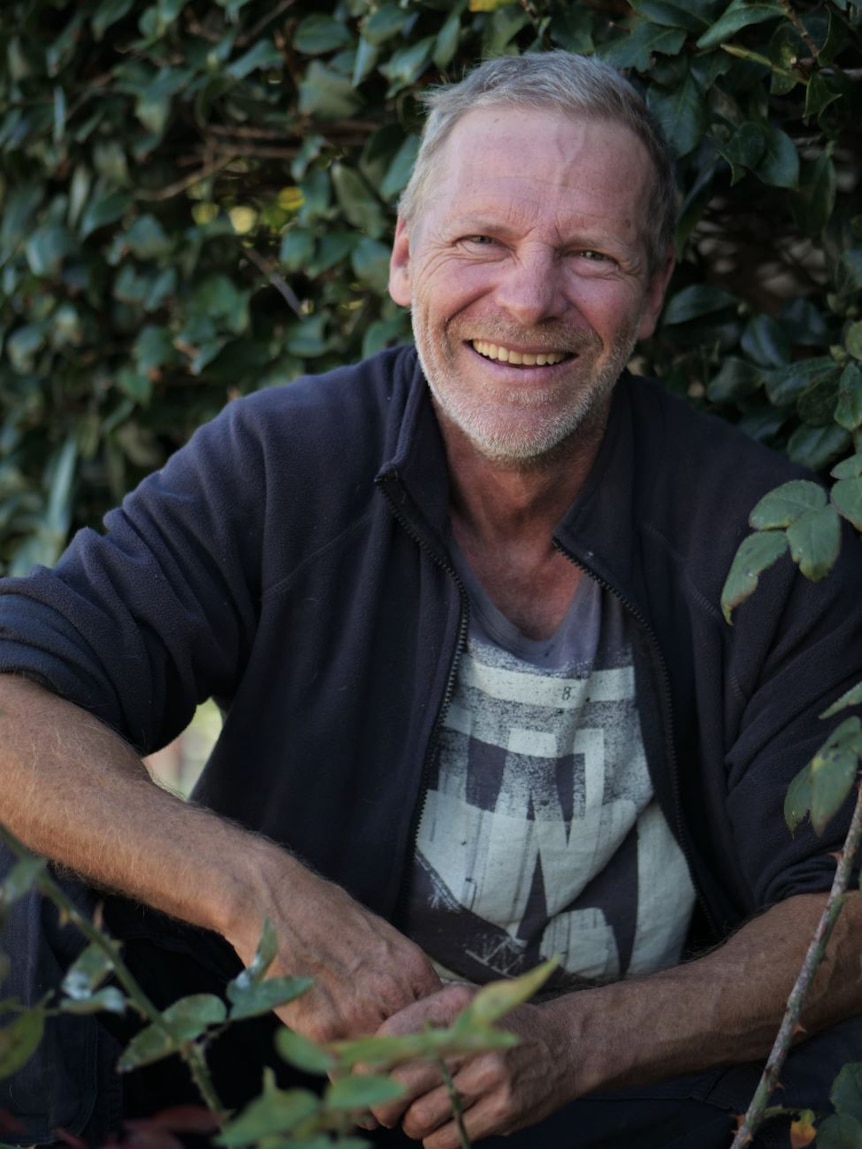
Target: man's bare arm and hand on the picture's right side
[(722, 1009)]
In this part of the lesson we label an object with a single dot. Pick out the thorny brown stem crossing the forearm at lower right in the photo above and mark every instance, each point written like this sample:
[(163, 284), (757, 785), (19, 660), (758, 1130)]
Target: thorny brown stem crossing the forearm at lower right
[(814, 957)]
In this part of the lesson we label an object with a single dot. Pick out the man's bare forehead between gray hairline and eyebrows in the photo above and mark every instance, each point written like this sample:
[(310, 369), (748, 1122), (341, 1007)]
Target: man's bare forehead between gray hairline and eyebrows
[(535, 164)]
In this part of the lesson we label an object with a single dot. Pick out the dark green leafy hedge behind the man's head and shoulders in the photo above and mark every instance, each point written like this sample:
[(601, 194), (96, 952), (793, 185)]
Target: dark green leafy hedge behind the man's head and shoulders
[(196, 198)]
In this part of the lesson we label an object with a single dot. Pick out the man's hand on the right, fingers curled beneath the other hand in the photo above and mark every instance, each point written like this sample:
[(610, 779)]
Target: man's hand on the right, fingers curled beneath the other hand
[(501, 1092)]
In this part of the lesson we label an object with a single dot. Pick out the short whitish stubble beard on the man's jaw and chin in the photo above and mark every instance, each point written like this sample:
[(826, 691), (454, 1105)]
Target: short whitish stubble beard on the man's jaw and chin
[(527, 443)]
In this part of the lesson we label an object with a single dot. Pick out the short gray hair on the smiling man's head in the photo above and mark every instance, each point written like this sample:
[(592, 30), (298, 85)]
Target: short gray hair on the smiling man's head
[(573, 84)]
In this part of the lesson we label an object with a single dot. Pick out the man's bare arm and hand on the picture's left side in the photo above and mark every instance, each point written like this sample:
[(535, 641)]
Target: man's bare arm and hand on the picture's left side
[(75, 792)]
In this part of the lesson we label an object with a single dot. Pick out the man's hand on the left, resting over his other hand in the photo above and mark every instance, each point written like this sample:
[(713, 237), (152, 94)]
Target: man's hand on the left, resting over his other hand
[(365, 971)]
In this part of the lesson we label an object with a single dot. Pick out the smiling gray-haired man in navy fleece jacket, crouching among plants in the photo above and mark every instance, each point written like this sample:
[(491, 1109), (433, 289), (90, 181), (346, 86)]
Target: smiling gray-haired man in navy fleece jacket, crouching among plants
[(463, 616)]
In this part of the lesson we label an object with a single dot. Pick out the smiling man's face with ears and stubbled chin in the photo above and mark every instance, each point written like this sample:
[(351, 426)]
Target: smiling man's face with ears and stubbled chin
[(526, 272)]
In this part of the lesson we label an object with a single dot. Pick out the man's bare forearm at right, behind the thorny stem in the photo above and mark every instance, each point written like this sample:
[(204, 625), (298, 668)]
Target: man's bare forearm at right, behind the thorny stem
[(724, 1008)]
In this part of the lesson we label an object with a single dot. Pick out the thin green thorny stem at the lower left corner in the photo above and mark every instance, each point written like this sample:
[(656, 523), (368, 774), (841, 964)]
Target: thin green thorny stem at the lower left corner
[(191, 1054)]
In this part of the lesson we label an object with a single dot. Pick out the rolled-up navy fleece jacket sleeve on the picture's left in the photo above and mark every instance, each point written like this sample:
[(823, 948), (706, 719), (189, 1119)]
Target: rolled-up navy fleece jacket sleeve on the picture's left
[(141, 623)]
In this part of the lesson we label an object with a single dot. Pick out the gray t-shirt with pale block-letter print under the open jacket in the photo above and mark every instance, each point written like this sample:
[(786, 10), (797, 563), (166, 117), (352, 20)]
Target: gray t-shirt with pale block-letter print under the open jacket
[(541, 835)]
